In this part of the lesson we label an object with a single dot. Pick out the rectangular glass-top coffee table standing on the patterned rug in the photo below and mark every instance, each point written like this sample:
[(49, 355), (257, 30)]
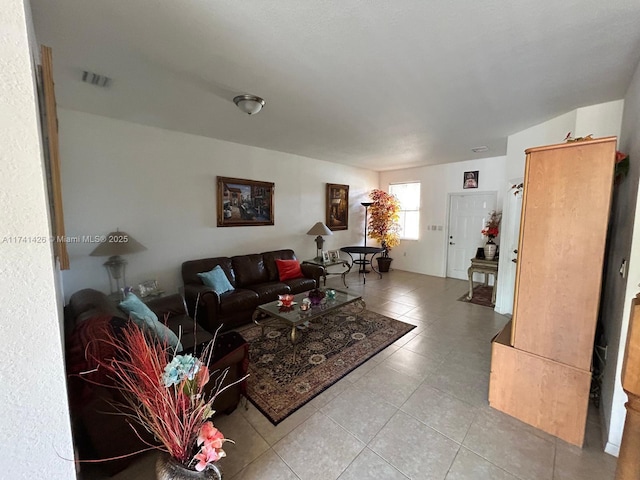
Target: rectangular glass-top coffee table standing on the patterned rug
[(293, 316)]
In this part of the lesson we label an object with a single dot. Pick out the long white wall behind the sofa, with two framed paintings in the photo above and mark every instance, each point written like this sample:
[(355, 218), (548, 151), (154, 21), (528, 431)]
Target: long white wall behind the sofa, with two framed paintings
[(160, 187)]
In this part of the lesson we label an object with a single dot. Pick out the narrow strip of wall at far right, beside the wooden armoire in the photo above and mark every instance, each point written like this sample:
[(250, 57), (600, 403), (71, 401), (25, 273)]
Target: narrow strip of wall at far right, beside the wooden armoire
[(624, 241)]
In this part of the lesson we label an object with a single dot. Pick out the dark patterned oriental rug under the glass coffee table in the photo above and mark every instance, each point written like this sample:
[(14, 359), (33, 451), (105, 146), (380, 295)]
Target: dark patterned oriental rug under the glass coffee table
[(328, 348)]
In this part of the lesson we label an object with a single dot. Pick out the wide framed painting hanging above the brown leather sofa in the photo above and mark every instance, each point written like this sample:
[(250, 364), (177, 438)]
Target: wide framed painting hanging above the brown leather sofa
[(244, 202)]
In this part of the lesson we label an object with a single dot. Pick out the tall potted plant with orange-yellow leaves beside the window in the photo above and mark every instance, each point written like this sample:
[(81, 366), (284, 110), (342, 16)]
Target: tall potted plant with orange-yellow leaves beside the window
[(384, 224)]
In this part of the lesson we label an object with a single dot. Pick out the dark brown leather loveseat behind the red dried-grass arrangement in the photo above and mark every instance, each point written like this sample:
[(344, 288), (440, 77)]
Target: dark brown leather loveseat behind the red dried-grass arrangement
[(98, 433)]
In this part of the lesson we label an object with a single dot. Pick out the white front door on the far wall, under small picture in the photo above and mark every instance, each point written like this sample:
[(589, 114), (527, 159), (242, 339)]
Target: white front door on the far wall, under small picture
[(468, 214)]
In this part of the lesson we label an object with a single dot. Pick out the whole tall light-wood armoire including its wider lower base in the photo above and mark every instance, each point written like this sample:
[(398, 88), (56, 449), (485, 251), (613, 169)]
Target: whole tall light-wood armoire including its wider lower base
[(541, 360)]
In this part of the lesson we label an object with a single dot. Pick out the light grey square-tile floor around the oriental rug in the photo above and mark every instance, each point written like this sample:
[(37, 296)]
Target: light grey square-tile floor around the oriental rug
[(417, 410)]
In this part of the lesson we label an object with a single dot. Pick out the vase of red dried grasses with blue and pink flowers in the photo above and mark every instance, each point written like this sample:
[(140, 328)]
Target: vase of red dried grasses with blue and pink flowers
[(171, 397)]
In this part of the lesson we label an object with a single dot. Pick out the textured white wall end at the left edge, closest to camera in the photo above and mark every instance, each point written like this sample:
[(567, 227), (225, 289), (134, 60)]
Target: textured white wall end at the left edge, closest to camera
[(36, 435)]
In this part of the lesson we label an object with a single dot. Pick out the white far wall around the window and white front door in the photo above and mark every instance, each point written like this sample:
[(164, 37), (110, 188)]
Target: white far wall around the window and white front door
[(428, 254)]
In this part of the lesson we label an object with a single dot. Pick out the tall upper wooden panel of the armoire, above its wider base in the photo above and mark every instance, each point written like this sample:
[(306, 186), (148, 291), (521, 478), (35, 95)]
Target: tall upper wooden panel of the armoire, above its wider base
[(566, 203)]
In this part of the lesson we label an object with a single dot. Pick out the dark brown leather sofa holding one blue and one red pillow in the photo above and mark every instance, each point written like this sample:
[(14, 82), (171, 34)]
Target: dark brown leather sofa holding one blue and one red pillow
[(255, 280)]
